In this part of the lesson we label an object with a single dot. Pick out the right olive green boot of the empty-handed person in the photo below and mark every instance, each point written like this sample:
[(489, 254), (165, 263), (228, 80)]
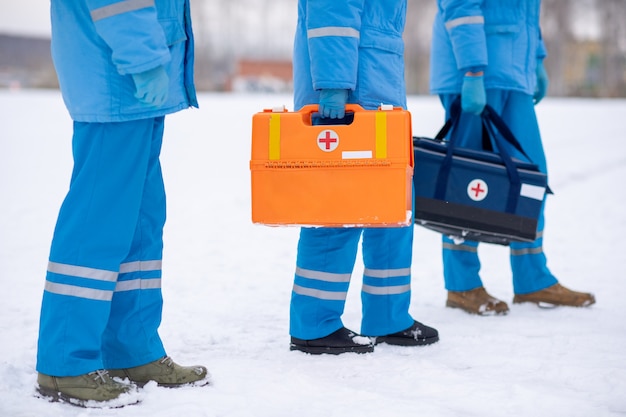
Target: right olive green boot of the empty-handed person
[(166, 373)]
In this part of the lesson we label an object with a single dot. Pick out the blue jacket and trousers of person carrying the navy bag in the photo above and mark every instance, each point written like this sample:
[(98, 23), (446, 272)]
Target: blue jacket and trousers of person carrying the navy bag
[(503, 38)]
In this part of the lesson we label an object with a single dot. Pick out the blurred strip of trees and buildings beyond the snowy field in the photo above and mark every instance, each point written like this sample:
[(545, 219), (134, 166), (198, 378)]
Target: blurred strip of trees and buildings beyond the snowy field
[(245, 45)]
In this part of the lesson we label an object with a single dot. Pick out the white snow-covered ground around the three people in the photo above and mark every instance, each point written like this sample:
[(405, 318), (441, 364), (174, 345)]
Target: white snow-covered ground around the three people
[(227, 282)]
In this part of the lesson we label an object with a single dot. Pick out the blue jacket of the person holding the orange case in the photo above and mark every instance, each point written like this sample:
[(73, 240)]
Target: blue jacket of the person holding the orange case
[(350, 44)]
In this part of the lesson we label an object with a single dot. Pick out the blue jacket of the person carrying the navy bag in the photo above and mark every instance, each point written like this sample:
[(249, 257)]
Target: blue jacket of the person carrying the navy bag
[(500, 36)]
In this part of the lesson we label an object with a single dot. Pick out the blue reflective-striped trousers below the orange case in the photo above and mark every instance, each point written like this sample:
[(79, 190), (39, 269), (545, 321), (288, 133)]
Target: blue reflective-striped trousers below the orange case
[(324, 266)]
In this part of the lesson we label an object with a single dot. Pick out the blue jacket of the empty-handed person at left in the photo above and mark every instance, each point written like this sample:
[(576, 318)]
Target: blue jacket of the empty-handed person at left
[(98, 44)]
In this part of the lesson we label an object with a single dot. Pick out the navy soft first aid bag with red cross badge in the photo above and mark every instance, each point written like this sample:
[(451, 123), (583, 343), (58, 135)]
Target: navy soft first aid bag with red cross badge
[(474, 194)]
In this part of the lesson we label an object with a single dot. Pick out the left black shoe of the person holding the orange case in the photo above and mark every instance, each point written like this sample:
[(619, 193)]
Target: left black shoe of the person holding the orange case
[(341, 341)]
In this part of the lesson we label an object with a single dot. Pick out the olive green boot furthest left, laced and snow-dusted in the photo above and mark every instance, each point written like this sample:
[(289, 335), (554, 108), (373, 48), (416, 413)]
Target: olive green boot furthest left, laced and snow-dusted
[(95, 389)]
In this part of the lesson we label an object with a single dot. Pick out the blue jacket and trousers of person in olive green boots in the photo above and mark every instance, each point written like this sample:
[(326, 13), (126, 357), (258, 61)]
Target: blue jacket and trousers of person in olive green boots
[(102, 301)]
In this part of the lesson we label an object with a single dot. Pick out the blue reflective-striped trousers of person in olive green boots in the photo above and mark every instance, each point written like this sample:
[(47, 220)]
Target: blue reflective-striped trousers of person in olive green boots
[(102, 301)]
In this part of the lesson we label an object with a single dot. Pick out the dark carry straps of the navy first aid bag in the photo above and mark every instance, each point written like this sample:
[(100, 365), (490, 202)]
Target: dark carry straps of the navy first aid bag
[(490, 120)]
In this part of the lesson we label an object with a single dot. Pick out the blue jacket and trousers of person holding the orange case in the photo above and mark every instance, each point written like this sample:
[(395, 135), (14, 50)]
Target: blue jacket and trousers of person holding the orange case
[(355, 45)]
